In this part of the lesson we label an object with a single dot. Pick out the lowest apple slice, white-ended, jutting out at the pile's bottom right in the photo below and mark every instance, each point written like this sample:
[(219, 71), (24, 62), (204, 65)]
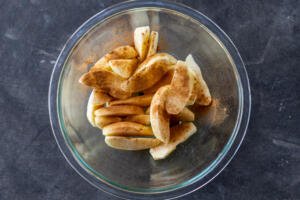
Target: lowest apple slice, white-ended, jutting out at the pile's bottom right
[(179, 134)]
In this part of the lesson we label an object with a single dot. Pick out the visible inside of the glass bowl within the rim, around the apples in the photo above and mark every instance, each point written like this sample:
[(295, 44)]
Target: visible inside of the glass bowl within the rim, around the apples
[(179, 35)]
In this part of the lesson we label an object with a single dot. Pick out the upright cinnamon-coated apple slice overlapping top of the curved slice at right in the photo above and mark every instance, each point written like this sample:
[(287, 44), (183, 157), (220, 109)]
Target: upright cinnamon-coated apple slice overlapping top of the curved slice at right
[(180, 90)]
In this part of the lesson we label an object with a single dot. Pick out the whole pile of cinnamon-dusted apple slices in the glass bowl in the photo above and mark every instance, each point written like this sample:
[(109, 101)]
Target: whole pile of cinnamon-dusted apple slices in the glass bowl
[(140, 98)]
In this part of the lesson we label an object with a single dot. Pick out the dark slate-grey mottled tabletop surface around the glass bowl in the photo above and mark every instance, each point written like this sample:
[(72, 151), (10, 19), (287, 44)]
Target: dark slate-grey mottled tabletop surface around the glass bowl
[(266, 33)]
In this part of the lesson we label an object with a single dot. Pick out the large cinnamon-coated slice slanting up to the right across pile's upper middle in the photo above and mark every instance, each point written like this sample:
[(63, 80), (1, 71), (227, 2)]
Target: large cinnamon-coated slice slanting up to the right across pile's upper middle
[(149, 72)]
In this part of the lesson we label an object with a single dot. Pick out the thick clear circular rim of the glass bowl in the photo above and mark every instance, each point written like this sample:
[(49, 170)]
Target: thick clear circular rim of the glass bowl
[(215, 167)]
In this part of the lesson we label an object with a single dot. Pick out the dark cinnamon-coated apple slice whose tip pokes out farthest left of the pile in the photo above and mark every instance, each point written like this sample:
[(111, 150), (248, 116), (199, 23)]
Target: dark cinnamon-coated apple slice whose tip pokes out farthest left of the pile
[(106, 81)]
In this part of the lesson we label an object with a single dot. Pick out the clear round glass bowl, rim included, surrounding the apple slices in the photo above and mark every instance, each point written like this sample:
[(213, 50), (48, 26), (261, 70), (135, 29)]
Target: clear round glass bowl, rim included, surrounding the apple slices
[(221, 127)]
